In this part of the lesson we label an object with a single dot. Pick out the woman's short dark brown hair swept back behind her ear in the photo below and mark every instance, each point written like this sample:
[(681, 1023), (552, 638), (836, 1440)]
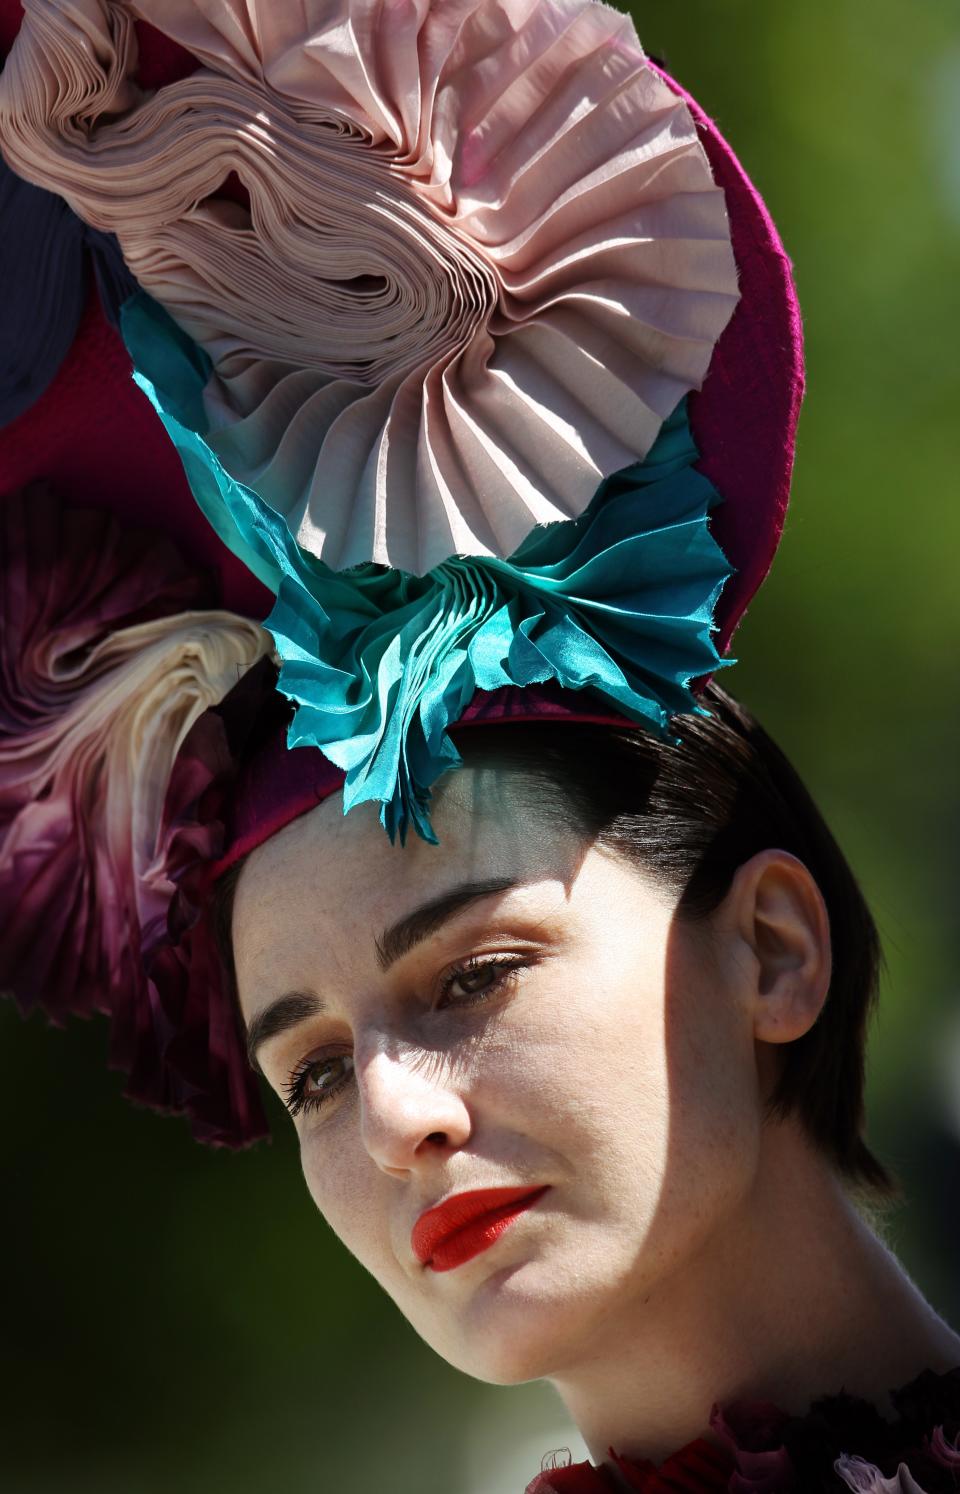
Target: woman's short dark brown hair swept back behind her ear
[(691, 810)]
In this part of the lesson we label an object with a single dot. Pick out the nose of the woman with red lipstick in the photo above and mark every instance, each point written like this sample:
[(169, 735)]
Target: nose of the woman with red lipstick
[(411, 1109)]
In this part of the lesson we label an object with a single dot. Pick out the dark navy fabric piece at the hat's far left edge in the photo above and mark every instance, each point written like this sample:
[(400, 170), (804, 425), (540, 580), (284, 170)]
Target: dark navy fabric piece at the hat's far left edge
[(44, 255)]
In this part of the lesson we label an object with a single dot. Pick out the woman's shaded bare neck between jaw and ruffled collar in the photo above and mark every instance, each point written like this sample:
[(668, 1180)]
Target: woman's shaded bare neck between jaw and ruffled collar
[(795, 1298)]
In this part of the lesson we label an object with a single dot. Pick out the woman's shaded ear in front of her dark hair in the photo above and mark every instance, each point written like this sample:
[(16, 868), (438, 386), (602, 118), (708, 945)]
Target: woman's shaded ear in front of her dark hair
[(777, 911)]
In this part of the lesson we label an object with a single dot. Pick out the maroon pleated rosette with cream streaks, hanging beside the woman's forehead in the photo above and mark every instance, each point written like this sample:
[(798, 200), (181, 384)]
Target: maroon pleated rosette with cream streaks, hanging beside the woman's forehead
[(110, 649)]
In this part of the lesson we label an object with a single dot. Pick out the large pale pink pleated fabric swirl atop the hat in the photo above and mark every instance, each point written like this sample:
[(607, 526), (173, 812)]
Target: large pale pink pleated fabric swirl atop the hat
[(484, 255)]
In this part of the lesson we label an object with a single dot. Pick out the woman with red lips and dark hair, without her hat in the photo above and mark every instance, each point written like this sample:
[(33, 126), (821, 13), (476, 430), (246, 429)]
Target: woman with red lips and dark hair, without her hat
[(582, 1088)]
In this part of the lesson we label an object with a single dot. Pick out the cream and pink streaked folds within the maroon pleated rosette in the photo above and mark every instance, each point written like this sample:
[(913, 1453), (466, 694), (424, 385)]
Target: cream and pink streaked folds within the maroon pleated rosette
[(92, 775)]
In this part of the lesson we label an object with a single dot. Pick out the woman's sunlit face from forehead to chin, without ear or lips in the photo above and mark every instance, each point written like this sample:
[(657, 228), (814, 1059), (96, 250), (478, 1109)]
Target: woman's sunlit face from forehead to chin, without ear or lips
[(508, 1009)]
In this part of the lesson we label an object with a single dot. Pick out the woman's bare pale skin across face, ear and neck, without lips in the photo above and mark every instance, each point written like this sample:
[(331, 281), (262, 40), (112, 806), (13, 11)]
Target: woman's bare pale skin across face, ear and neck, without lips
[(574, 1032)]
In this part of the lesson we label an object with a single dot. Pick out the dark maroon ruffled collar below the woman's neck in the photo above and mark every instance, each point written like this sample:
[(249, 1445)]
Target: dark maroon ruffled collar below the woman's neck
[(841, 1444)]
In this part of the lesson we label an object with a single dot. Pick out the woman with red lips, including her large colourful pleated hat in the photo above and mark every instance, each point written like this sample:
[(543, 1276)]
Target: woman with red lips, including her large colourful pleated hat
[(593, 973)]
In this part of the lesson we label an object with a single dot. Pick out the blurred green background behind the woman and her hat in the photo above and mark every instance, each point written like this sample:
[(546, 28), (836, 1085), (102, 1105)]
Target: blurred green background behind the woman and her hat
[(183, 1320)]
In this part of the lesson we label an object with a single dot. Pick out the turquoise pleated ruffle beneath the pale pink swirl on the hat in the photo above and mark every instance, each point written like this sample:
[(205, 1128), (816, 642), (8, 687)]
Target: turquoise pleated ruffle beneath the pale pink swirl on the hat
[(381, 664)]
